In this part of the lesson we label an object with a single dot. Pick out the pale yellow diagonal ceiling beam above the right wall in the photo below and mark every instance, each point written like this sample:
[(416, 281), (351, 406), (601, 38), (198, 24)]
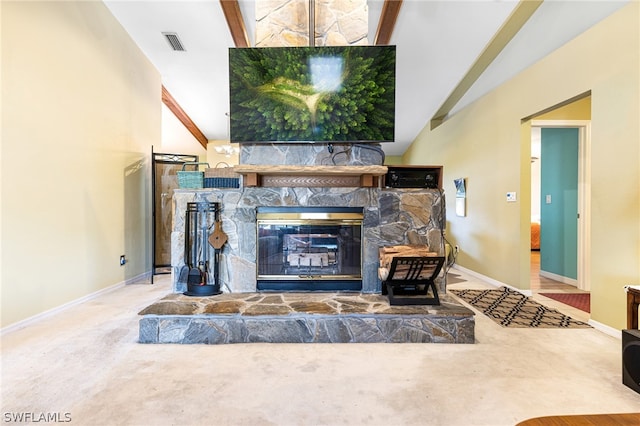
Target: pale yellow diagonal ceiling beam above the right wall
[(520, 15)]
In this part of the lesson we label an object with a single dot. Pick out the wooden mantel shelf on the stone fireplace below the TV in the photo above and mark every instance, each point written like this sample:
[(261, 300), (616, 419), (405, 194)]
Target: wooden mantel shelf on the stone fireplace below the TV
[(310, 176)]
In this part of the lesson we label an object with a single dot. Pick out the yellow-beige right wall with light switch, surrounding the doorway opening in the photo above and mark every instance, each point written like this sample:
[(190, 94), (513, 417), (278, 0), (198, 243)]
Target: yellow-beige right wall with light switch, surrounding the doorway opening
[(486, 143)]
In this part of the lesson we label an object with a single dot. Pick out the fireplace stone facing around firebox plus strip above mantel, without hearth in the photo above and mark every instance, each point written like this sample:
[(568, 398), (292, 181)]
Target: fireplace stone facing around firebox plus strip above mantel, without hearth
[(389, 216)]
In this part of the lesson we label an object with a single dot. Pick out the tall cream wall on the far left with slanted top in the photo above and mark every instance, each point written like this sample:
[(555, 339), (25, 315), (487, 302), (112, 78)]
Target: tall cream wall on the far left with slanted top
[(80, 111)]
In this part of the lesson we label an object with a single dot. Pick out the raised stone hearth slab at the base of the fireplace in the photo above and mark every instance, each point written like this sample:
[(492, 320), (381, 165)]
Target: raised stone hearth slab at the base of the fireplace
[(302, 318)]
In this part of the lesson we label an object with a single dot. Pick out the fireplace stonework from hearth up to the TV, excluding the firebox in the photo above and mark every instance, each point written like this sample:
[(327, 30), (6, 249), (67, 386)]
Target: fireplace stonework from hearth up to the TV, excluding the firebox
[(241, 314)]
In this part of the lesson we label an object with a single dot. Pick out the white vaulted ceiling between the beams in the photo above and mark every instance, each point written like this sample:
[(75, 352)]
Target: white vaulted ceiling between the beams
[(436, 44)]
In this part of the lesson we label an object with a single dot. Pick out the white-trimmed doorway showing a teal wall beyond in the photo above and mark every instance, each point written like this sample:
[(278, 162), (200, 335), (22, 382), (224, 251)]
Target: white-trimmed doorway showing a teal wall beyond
[(564, 203)]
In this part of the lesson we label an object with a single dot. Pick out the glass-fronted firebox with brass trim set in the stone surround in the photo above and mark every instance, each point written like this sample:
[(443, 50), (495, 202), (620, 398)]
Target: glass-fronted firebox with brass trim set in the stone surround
[(309, 248)]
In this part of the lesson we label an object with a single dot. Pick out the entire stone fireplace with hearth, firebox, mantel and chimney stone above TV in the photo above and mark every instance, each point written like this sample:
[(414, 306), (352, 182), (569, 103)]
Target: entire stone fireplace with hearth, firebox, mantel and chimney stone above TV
[(316, 257)]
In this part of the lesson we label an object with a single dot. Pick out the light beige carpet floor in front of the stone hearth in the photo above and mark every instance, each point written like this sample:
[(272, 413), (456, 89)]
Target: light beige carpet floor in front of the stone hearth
[(86, 365)]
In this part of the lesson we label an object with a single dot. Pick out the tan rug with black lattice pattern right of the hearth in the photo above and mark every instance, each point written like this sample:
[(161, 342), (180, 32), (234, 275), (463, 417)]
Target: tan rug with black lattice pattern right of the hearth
[(510, 308)]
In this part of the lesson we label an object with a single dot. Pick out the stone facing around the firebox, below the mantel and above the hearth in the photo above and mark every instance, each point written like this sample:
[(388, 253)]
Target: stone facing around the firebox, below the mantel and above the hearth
[(391, 217)]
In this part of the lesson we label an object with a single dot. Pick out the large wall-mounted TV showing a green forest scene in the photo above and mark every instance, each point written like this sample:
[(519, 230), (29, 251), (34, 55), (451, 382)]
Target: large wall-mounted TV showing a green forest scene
[(312, 94)]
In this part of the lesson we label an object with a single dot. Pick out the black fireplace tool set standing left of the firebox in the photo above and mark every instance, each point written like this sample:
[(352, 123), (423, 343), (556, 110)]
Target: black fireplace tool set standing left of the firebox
[(198, 273)]
